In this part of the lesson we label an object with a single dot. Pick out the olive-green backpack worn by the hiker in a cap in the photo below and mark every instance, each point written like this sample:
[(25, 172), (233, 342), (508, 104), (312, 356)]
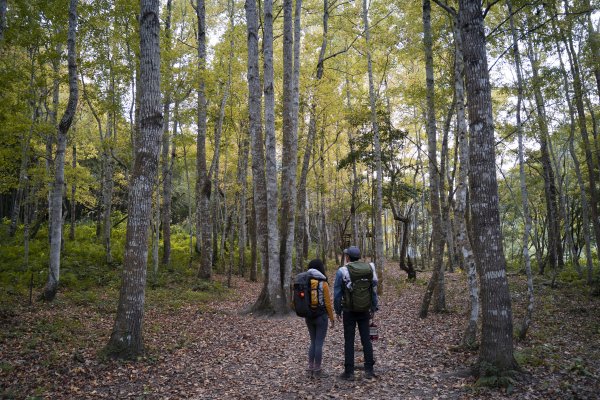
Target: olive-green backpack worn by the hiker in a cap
[(358, 299)]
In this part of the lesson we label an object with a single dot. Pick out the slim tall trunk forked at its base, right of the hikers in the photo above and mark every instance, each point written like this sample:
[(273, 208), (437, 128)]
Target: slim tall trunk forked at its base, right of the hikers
[(434, 178)]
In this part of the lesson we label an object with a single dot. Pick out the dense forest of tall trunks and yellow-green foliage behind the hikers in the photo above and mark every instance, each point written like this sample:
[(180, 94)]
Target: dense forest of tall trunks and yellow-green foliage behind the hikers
[(183, 146)]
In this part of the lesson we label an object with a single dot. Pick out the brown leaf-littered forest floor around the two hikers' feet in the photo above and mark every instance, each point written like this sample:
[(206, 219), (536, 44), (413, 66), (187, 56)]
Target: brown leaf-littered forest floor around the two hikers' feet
[(216, 352)]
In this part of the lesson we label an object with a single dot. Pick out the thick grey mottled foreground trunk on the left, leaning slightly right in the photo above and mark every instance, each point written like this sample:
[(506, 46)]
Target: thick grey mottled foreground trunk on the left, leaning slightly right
[(126, 339)]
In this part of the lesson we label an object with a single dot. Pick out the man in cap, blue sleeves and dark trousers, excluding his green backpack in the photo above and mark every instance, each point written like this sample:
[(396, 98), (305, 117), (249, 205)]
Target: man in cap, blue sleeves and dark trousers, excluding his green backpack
[(352, 318)]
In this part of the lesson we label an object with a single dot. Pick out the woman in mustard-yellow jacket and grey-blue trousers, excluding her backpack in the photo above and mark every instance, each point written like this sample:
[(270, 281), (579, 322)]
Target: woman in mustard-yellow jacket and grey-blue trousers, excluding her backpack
[(317, 326)]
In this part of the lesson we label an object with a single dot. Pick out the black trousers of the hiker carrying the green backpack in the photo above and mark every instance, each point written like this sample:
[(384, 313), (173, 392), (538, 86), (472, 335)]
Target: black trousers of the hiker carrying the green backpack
[(351, 319)]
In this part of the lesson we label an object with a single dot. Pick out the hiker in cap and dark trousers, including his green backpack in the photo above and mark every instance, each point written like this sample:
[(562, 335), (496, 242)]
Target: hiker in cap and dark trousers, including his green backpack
[(355, 297)]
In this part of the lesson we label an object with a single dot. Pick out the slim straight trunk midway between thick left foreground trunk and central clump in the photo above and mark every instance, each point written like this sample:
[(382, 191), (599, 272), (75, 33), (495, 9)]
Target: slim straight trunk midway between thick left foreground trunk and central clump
[(203, 183)]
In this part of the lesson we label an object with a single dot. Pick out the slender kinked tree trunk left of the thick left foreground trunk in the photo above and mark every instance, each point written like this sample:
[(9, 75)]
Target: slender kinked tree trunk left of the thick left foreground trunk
[(59, 177)]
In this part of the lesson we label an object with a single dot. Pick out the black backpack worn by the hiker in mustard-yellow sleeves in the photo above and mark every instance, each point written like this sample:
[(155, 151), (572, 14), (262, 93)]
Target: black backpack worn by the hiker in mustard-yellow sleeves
[(306, 299)]
